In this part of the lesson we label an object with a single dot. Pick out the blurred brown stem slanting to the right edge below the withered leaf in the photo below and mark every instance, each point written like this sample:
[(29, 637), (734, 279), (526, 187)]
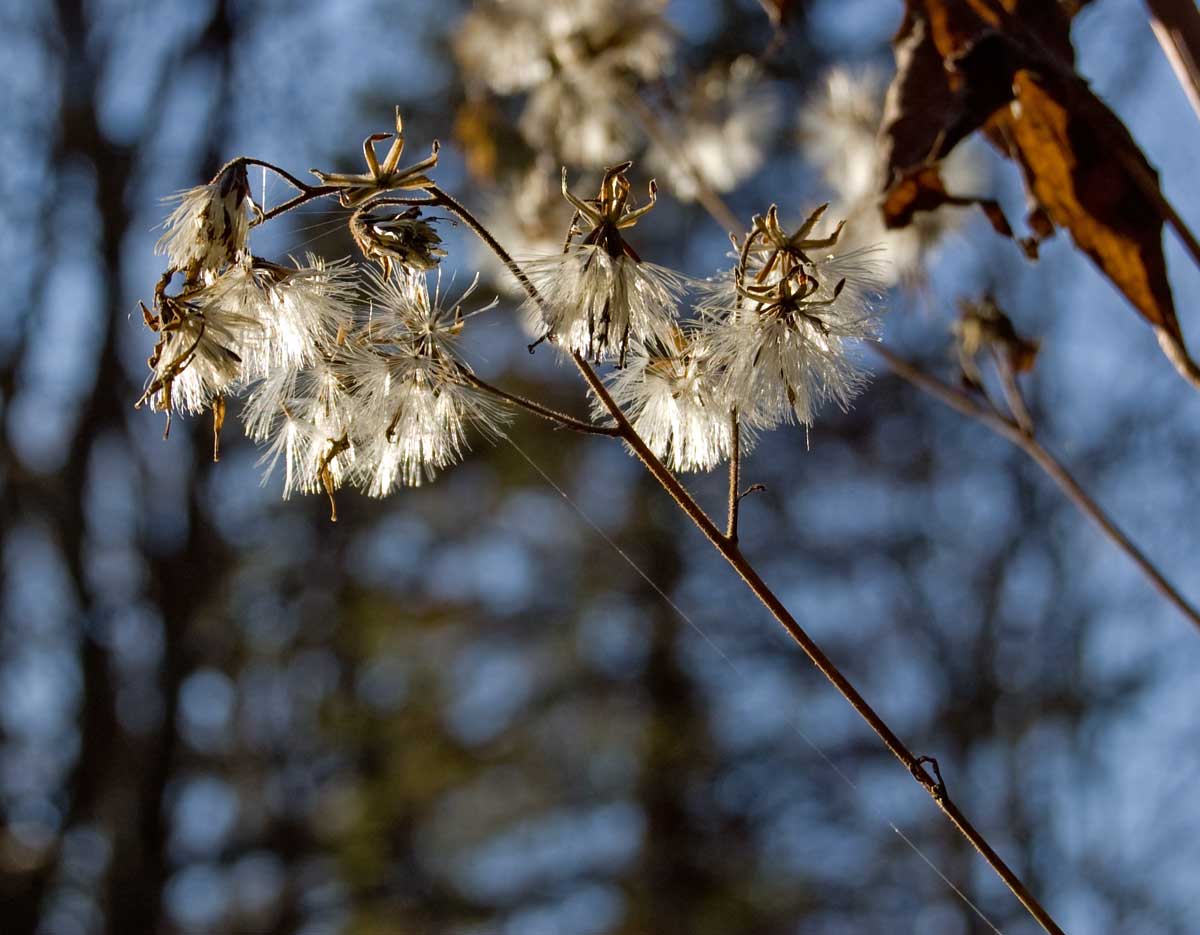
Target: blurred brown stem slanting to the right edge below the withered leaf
[(1025, 440)]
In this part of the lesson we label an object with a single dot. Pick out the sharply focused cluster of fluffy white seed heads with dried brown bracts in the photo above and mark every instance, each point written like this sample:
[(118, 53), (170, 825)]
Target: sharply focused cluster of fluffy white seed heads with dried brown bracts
[(355, 375)]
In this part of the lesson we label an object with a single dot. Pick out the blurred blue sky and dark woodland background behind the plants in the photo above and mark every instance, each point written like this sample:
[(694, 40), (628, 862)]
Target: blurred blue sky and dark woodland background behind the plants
[(463, 709)]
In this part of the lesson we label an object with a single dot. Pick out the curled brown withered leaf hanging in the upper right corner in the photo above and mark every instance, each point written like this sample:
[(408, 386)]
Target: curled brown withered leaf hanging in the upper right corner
[(1007, 68)]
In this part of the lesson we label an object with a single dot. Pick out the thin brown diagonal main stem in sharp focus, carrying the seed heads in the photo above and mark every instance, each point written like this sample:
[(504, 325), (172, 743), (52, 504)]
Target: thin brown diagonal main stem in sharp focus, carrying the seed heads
[(728, 547)]
